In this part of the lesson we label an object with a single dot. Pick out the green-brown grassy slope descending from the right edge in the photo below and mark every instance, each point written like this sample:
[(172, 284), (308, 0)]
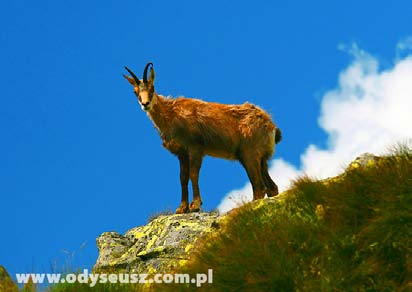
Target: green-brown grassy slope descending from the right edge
[(351, 233)]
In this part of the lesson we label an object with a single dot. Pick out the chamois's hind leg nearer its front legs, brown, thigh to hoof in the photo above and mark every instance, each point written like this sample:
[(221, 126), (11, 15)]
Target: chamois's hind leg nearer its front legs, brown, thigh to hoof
[(253, 169)]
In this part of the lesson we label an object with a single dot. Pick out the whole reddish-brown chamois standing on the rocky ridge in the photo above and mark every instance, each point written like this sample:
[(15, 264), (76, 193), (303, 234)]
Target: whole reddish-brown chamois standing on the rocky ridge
[(192, 128)]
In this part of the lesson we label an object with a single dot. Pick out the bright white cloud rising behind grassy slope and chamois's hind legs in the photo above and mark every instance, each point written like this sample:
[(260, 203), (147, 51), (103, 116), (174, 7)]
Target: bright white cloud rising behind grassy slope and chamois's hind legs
[(369, 111)]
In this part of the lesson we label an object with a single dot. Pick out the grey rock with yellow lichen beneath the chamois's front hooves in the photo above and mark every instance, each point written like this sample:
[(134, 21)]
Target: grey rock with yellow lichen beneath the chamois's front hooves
[(161, 245)]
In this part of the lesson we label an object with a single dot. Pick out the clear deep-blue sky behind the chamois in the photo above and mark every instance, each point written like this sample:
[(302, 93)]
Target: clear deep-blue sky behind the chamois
[(77, 155)]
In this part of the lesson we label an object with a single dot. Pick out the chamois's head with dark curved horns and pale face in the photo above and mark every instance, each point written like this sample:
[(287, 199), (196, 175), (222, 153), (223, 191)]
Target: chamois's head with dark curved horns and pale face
[(144, 89)]
